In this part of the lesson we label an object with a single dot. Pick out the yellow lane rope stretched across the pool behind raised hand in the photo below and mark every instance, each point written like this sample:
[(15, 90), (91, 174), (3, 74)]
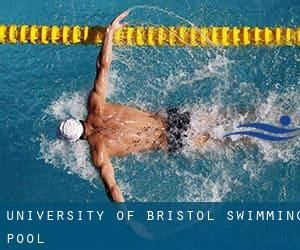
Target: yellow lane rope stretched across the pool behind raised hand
[(152, 35)]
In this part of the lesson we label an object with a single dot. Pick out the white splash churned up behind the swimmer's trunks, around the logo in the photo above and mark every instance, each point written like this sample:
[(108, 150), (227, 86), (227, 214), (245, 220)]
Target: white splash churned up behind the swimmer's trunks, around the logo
[(218, 121)]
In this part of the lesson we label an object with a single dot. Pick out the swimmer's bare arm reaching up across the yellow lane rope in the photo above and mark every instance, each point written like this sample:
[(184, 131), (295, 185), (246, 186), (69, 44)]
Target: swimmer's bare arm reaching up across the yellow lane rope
[(105, 56)]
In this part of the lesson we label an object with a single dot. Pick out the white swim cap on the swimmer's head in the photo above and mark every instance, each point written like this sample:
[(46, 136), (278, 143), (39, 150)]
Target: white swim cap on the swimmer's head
[(70, 130)]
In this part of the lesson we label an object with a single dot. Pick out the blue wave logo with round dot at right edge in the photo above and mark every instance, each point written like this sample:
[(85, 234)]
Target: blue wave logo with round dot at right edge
[(279, 133)]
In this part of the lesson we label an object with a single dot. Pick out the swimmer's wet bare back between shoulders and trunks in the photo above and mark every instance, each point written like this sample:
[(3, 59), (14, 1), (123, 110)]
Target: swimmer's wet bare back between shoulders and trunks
[(126, 130)]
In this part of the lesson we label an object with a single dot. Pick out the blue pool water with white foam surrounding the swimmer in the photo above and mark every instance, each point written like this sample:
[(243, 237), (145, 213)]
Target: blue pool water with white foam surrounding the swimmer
[(42, 84)]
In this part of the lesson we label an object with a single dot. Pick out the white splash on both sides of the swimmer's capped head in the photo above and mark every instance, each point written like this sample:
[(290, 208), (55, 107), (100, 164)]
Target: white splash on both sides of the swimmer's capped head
[(72, 157)]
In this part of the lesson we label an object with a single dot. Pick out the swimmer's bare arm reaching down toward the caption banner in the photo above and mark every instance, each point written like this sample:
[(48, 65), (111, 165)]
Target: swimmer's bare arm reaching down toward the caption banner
[(103, 164)]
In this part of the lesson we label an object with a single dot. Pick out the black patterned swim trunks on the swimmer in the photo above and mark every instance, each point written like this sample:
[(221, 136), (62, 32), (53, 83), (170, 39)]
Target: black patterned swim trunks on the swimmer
[(177, 125)]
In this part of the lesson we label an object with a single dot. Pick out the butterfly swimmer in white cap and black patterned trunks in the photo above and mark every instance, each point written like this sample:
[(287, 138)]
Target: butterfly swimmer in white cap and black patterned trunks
[(114, 130)]
